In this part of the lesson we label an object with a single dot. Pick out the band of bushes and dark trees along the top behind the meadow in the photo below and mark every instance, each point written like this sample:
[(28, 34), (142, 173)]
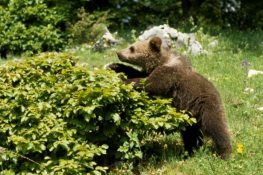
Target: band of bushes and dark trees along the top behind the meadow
[(33, 26)]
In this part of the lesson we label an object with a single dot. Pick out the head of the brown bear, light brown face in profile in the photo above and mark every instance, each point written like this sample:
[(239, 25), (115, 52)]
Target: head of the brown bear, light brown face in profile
[(147, 54)]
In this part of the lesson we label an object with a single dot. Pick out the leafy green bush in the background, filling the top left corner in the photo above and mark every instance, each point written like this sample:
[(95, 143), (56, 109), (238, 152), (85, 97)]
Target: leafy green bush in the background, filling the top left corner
[(31, 26)]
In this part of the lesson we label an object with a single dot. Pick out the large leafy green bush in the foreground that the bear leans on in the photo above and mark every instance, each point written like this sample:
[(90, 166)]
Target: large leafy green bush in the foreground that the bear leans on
[(58, 117)]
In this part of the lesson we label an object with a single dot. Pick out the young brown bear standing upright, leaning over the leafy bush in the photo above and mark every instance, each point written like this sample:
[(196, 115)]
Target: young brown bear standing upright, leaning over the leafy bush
[(170, 75)]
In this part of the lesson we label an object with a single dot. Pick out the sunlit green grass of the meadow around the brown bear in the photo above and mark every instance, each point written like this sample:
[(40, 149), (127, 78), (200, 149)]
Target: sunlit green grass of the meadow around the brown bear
[(222, 66)]
